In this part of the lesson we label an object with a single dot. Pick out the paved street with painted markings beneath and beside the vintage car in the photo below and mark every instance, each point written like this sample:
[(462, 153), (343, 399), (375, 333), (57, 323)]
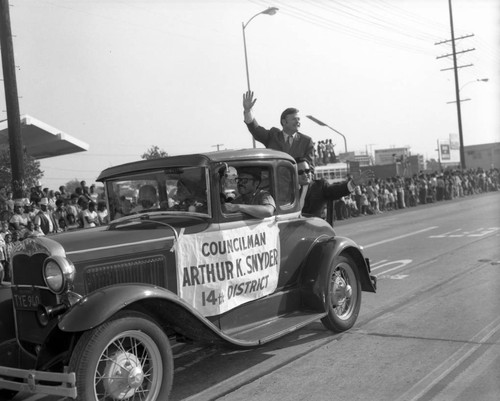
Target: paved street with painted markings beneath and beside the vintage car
[(432, 332)]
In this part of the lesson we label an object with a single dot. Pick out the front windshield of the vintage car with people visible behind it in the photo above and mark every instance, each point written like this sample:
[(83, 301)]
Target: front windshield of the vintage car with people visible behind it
[(176, 190)]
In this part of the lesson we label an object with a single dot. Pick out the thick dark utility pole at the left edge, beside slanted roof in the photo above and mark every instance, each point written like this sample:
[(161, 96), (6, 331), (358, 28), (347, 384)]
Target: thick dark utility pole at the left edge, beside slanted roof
[(12, 101)]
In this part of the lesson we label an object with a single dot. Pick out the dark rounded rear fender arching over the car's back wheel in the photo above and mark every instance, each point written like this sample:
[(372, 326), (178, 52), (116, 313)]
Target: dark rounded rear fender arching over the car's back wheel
[(315, 273)]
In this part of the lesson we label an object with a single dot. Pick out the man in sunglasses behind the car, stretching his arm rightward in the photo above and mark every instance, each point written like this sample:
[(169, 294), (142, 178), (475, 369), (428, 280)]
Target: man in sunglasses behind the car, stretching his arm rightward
[(320, 191)]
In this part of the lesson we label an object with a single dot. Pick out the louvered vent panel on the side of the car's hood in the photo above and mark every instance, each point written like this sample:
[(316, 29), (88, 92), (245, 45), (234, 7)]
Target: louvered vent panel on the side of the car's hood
[(149, 270)]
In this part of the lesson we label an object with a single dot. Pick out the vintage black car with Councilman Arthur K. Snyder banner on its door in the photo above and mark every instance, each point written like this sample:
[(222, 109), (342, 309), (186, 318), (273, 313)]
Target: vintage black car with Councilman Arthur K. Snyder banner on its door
[(96, 310)]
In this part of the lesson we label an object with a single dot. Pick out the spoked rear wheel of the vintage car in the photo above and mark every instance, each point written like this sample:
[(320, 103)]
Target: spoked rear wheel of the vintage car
[(343, 295)]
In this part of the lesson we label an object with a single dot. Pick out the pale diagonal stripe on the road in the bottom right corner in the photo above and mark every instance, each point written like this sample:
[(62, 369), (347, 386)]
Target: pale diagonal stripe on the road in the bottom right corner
[(444, 369)]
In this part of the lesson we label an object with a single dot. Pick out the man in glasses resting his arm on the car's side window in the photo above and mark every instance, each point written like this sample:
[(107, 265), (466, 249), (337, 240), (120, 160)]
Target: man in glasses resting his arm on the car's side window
[(251, 200)]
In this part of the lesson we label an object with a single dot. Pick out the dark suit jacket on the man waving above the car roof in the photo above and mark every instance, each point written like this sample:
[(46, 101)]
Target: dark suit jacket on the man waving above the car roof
[(274, 139)]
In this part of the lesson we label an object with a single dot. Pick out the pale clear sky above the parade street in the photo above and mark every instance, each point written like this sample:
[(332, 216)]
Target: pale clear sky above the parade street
[(126, 75)]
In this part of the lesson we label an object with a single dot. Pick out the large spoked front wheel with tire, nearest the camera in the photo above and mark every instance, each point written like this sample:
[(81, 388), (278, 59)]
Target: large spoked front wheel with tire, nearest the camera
[(126, 358)]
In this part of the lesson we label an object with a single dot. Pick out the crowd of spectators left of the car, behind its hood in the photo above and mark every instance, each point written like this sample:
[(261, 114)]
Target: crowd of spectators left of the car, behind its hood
[(45, 211)]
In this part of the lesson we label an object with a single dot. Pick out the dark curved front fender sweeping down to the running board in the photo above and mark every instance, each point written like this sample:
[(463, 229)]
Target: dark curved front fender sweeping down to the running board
[(165, 306)]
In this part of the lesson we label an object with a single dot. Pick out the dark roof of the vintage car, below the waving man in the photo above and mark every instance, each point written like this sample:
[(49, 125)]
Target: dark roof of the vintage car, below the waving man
[(196, 159)]
